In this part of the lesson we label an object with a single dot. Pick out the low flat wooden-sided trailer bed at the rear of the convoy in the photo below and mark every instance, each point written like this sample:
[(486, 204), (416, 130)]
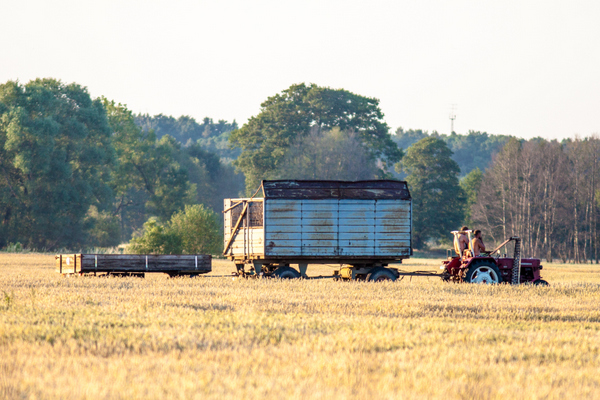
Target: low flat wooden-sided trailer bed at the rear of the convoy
[(133, 264)]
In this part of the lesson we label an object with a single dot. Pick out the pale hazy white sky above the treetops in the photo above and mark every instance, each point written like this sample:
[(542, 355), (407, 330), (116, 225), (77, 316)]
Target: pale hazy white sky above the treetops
[(524, 68)]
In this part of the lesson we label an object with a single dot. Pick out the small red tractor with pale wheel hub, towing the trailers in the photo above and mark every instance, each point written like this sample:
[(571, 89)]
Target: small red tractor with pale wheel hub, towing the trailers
[(488, 268)]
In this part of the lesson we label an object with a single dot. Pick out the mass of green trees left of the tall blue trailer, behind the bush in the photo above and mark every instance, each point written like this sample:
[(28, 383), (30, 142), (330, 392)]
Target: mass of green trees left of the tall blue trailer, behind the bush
[(77, 171)]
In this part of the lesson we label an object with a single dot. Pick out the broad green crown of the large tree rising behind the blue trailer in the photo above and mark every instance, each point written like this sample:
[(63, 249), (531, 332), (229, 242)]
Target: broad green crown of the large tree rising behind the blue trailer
[(266, 137)]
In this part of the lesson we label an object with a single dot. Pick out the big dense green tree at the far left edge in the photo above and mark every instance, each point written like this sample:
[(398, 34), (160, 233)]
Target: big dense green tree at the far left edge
[(55, 162)]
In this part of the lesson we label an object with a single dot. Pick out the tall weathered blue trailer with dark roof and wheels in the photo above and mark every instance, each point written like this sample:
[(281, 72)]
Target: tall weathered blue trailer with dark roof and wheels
[(362, 226)]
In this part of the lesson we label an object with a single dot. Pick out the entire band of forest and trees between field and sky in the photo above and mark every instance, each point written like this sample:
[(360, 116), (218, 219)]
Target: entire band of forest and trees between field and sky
[(78, 172)]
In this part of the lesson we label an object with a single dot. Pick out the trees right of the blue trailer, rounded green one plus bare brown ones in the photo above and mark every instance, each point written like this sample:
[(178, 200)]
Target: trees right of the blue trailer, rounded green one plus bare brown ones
[(546, 192)]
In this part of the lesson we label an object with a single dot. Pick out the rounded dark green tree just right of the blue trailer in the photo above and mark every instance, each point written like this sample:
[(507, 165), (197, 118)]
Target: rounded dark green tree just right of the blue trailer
[(438, 199)]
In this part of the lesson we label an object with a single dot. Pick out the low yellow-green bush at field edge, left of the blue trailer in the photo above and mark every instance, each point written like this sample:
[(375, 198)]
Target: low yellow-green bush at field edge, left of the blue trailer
[(195, 230)]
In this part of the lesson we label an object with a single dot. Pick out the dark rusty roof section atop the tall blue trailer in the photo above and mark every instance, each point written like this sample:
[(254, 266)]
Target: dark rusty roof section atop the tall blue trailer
[(367, 190)]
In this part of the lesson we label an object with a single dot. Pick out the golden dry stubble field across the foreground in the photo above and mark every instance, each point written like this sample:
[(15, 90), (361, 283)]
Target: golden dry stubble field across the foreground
[(87, 337)]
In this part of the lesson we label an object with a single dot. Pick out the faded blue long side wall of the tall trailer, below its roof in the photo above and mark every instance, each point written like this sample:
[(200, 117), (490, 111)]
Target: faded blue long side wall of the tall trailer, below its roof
[(337, 227)]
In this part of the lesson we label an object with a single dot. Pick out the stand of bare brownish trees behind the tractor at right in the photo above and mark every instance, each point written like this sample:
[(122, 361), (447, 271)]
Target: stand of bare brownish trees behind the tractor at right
[(546, 192)]
